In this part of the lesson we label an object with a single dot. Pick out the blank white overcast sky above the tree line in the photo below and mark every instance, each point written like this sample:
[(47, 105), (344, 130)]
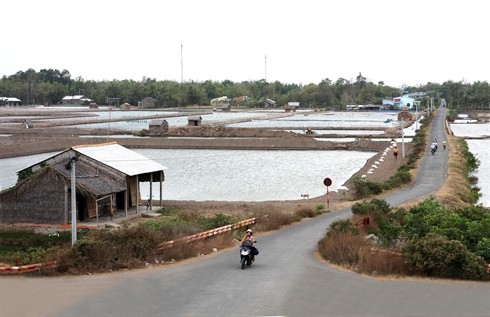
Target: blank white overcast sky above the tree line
[(398, 42)]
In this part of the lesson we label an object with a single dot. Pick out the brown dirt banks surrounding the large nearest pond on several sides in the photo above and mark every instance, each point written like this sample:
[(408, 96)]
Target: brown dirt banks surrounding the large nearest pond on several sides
[(41, 140)]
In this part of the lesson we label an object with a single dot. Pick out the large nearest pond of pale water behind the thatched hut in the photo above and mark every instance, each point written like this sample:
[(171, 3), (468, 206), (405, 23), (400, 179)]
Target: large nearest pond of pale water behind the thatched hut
[(234, 175)]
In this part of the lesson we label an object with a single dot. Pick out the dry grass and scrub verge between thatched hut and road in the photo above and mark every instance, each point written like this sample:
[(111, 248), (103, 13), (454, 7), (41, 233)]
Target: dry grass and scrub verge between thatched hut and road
[(136, 246)]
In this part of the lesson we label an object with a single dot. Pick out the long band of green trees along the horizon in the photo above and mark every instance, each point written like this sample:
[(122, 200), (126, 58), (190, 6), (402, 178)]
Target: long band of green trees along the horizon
[(49, 86)]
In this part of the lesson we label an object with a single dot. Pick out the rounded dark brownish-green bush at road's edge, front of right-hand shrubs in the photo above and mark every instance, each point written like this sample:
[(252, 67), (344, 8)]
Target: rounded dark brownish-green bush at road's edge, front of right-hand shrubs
[(436, 255)]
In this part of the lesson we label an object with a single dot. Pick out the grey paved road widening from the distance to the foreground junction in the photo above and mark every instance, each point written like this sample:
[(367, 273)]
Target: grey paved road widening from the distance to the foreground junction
[(286, 280)]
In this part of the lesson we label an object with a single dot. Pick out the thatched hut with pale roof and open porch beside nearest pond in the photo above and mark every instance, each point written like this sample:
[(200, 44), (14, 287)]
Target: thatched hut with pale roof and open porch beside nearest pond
[(107, 179)]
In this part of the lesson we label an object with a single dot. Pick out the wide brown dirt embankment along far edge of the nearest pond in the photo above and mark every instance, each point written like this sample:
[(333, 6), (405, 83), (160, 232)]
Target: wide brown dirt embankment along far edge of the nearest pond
[(37, 140)]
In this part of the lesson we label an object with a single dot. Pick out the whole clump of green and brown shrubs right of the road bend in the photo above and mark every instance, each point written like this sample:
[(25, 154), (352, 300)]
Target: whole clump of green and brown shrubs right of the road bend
[(436, 241)]
